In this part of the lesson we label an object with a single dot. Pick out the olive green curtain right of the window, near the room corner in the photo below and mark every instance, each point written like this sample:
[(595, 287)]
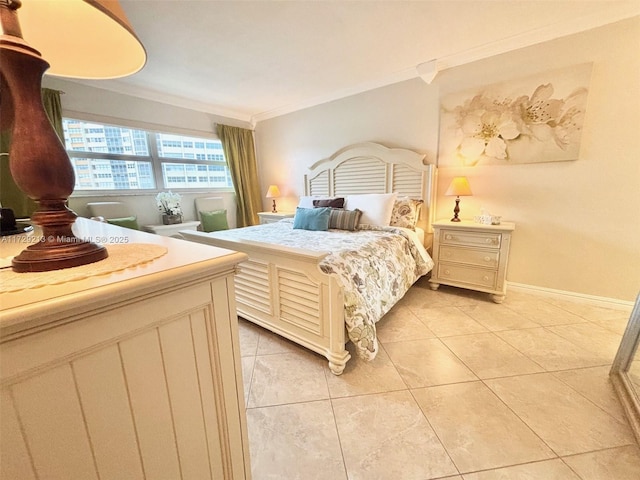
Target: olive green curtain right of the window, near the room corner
[(239, 151)]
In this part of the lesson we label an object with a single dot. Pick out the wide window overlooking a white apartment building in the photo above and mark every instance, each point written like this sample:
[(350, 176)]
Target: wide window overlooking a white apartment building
[(110, 157)]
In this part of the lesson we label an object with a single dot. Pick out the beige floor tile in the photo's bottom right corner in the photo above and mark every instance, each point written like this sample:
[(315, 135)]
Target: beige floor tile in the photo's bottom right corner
[(621, 463)]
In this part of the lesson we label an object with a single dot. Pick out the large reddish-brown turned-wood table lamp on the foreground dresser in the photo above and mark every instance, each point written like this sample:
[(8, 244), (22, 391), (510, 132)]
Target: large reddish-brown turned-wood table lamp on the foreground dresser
[(81, 39)]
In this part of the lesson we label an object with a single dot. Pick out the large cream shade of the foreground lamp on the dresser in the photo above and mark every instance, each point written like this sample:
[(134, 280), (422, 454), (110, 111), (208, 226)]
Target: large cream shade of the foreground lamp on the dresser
[(89, 39)]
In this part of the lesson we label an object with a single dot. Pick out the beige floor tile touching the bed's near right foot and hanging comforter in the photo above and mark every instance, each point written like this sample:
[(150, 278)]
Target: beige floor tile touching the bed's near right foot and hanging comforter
[(361, 377)]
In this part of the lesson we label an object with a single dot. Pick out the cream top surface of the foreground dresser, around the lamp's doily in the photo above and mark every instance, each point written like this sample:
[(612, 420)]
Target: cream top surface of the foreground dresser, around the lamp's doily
[(183, 262)]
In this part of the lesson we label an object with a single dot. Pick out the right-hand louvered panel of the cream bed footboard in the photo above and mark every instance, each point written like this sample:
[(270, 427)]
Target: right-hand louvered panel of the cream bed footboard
[(300, 301)]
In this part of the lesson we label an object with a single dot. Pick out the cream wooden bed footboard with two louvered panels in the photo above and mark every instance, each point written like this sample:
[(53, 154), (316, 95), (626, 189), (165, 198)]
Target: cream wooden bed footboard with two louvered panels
[(283, 290)]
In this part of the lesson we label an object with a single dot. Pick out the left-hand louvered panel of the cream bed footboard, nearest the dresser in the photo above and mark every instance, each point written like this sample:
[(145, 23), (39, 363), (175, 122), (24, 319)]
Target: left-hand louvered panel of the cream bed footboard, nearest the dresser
[(252, 286)]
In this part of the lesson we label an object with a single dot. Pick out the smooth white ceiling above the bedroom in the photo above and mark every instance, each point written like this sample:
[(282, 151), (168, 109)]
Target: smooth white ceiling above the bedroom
[(253, 60)]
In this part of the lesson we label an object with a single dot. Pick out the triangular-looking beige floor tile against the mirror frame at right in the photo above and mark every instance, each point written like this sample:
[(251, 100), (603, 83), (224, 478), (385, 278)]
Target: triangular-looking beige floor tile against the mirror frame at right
[(595, 384)]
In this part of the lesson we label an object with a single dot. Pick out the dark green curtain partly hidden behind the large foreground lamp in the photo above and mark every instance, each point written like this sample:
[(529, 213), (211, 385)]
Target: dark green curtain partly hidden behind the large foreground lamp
[(10, 195)]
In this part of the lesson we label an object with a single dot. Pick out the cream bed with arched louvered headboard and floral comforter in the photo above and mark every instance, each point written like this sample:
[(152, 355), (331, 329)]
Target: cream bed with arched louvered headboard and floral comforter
[(300, 292)]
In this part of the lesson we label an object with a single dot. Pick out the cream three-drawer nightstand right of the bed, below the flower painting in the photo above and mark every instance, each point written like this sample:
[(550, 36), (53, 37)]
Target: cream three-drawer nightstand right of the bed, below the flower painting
[(471, 255)]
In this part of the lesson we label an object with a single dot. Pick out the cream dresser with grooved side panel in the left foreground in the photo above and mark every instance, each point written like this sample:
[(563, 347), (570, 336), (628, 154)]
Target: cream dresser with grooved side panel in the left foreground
[(133, 374)]
